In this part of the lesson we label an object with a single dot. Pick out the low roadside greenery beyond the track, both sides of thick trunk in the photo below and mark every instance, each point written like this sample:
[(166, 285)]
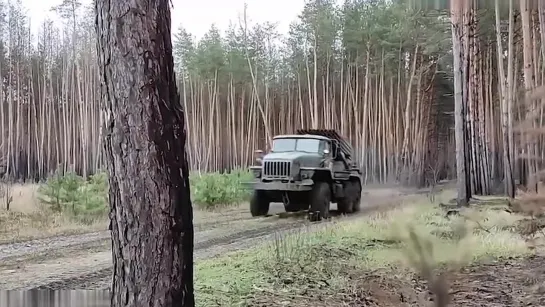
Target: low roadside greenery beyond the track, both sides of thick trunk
[(68, 203)]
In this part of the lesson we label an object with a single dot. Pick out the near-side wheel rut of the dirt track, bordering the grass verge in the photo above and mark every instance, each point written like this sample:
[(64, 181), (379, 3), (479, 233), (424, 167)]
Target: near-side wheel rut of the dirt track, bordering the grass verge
[(101, 277)]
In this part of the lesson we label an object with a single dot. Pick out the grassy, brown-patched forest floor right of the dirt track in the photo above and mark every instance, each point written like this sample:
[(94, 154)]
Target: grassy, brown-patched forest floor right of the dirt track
[(483, 252)]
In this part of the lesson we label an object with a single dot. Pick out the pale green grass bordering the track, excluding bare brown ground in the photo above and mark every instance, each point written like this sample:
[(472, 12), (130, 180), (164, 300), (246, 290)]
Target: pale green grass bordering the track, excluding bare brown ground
[(323, 261)]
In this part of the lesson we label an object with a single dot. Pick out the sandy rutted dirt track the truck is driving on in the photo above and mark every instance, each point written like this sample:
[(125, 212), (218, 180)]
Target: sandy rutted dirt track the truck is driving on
[(84, 261)]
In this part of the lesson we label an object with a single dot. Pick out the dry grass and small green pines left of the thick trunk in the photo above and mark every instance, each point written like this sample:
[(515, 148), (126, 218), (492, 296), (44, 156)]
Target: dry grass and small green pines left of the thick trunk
[(64, 204)]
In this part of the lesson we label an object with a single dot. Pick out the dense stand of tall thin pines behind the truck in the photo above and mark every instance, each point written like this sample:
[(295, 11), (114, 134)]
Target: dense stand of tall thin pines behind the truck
[(387, 76)]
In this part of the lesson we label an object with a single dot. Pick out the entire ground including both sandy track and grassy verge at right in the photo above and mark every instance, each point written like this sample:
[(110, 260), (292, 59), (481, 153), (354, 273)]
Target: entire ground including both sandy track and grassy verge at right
[(360, 260)]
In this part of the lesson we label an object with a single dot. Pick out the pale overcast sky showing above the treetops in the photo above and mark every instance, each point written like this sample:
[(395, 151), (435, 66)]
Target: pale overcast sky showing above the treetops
[(198, 15)]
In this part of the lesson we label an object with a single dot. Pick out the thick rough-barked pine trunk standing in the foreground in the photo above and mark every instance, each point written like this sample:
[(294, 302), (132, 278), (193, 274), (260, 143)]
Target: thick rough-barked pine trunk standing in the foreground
[(151, 214)]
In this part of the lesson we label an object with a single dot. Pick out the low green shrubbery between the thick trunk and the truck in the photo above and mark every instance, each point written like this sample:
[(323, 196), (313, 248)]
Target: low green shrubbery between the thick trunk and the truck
[(211, 190)]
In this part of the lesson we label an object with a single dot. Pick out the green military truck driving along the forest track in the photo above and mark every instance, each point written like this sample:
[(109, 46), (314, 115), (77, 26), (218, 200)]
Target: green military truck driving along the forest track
[(307, 170)]
